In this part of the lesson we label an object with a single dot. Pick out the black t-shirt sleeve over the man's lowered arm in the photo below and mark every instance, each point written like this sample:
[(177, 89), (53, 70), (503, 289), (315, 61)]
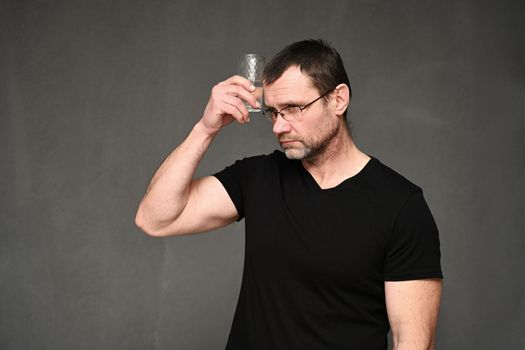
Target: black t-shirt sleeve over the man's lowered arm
[(414, 249)]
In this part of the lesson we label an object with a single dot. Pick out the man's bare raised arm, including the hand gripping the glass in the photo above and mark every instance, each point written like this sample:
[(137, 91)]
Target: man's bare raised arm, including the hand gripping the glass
[(174, 202)]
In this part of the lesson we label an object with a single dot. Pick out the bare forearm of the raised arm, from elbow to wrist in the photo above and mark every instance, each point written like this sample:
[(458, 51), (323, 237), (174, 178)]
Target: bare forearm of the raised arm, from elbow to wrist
[(168, 191)]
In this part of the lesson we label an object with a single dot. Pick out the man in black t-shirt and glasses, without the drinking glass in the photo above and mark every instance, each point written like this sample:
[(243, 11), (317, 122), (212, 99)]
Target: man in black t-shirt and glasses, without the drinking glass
[(339, 247)]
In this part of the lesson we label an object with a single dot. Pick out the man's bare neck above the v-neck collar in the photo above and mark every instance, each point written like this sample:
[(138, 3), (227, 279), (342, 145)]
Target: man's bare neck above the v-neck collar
[(340, 160)]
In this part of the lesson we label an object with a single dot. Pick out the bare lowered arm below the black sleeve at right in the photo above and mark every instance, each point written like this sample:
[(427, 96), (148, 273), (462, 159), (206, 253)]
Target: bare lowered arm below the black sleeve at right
[(413, 308)]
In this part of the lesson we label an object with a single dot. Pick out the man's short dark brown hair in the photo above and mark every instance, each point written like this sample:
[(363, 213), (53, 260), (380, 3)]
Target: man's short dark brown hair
[(316, 58)]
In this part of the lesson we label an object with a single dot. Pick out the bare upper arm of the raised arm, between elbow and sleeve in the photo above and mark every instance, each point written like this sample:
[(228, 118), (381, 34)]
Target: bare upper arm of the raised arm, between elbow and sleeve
[(208, 207)]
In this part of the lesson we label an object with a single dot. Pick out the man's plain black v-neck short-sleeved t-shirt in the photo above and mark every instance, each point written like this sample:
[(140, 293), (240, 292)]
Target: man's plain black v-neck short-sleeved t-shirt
[(316, 260)]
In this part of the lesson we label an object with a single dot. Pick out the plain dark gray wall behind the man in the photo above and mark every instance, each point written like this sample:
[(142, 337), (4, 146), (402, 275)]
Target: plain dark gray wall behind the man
[(94, 94)]
